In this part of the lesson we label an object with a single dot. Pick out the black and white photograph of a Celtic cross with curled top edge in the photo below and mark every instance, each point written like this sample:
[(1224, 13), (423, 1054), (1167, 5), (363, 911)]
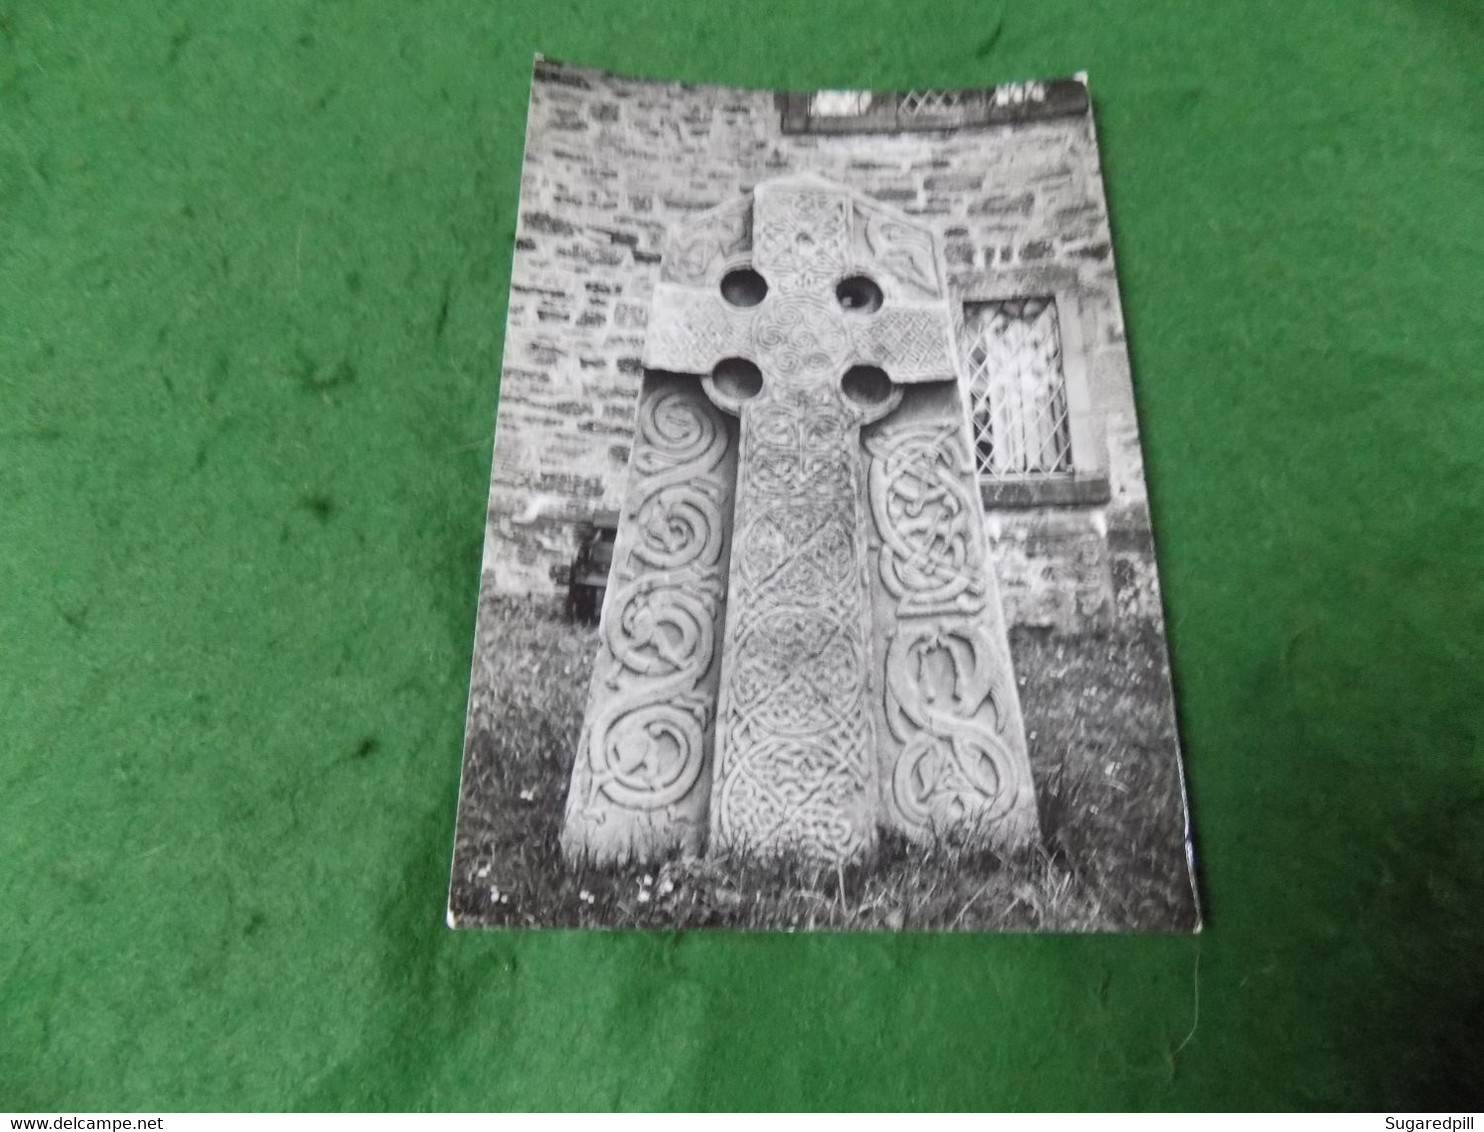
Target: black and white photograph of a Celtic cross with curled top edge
[(818, 590)]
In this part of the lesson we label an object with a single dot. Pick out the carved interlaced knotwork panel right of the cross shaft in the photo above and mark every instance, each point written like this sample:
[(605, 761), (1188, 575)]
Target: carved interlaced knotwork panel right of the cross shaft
[(951, 738)]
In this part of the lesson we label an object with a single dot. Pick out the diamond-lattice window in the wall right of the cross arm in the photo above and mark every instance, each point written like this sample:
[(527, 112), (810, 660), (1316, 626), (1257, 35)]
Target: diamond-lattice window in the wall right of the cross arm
[(1017, 388)]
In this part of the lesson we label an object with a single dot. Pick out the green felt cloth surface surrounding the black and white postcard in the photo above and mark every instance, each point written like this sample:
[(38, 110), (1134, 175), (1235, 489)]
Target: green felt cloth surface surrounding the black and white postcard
[(253, 278)]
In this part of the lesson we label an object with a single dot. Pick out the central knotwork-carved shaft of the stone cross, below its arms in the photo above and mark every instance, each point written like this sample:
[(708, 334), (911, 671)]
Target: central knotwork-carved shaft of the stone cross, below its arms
[(795, 766)]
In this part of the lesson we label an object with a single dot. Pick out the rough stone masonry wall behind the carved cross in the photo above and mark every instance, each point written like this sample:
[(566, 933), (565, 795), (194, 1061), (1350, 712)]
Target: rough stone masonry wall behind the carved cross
[(612, 162)]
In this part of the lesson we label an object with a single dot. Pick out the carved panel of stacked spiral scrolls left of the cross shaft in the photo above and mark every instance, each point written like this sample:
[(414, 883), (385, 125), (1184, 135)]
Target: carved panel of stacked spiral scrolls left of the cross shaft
[(639, 784)]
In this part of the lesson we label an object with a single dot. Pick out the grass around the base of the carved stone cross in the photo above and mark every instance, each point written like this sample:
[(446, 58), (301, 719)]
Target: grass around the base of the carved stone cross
[(1103, 756)]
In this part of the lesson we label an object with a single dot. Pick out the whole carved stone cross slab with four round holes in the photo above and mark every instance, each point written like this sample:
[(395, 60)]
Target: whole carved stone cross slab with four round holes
[(802, 639)]
